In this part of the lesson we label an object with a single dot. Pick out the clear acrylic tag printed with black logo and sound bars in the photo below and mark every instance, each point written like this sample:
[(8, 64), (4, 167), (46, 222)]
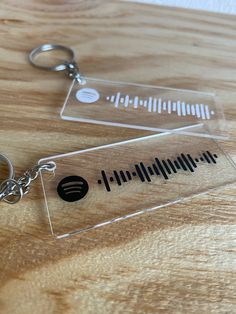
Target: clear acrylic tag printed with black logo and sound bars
[(101, 185)]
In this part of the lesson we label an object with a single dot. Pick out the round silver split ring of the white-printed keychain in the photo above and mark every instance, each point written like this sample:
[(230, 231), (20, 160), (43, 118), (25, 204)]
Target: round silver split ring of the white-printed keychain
[(48, 47)]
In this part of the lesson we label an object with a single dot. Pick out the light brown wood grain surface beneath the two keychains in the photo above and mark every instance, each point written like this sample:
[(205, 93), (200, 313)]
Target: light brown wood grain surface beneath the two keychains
[(180, 259)]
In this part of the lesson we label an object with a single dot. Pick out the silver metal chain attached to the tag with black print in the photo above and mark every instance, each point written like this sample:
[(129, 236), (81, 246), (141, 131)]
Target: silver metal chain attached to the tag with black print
[(12, 190)]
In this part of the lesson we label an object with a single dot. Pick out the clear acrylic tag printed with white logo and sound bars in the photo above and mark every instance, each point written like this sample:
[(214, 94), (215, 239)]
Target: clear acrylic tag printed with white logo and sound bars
[(157, 109)]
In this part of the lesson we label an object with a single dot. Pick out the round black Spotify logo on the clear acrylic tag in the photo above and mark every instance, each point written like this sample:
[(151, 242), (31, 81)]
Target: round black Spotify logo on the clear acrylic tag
[(72, 188)]
